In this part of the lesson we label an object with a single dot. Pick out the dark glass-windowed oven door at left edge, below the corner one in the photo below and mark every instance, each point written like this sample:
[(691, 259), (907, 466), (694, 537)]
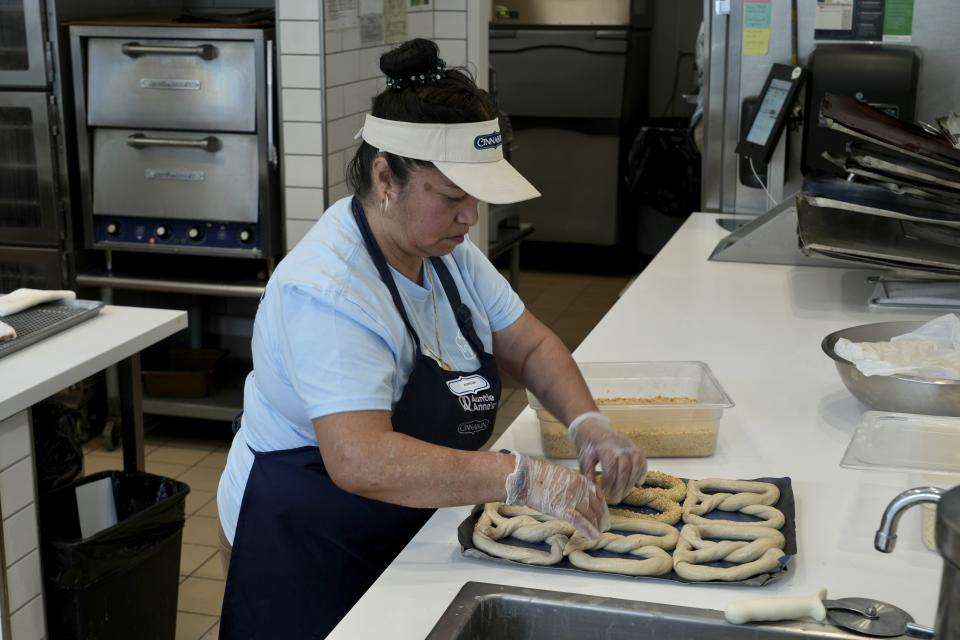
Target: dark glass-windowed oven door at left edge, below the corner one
[(28, 208)]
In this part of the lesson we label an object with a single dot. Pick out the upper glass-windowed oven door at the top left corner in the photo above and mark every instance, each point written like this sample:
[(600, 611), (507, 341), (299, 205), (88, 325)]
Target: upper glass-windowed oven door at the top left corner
[(22, 62)]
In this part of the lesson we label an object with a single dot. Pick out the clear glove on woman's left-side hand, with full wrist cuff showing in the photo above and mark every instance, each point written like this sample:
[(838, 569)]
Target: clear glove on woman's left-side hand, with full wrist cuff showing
[(559, 492)]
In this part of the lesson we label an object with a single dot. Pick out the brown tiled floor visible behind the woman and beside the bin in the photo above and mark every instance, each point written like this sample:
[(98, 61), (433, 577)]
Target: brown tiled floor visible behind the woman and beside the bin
[(569, 304)]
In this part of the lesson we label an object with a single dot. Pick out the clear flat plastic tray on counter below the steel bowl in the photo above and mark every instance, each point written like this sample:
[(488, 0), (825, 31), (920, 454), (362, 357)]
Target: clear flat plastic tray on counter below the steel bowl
[(905, 442)]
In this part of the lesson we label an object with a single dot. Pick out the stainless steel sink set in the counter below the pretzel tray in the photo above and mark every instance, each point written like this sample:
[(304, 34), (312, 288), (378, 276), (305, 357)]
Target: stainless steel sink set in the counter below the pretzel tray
[(482, 610)]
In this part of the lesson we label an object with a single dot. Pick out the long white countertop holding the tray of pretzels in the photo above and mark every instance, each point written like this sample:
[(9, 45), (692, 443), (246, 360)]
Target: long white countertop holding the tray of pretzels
[(759, 328)]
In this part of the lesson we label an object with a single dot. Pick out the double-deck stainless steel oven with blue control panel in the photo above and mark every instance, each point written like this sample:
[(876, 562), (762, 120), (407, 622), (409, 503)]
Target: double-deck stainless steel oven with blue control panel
[(175, 136)]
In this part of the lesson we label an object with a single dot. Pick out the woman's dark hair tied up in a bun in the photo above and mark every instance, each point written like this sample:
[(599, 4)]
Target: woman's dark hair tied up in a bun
[(453, 97)]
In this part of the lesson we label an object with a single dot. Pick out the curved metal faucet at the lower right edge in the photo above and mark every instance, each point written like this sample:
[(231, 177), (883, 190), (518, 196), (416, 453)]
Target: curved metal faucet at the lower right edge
[(947, 625)]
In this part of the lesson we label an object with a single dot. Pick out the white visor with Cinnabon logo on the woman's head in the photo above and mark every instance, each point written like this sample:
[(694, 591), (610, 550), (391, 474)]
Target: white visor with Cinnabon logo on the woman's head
[(470, 154)]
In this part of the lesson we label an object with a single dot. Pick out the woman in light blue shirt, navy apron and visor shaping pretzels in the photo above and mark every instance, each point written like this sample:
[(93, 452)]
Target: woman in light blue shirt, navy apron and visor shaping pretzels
[(375, 384)]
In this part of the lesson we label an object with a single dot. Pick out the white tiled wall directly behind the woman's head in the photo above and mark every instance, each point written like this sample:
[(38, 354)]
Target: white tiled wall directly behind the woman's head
[(336, 88)]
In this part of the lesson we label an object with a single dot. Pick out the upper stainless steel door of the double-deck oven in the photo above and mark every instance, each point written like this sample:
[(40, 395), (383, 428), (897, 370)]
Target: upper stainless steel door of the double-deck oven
[(171, 84)]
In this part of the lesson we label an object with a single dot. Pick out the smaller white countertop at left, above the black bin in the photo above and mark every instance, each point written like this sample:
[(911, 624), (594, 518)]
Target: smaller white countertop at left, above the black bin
[(42, 369)]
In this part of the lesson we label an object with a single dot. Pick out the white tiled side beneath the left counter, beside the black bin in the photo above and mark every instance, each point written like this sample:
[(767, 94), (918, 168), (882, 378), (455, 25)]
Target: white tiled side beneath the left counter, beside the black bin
[(21, 553)]
